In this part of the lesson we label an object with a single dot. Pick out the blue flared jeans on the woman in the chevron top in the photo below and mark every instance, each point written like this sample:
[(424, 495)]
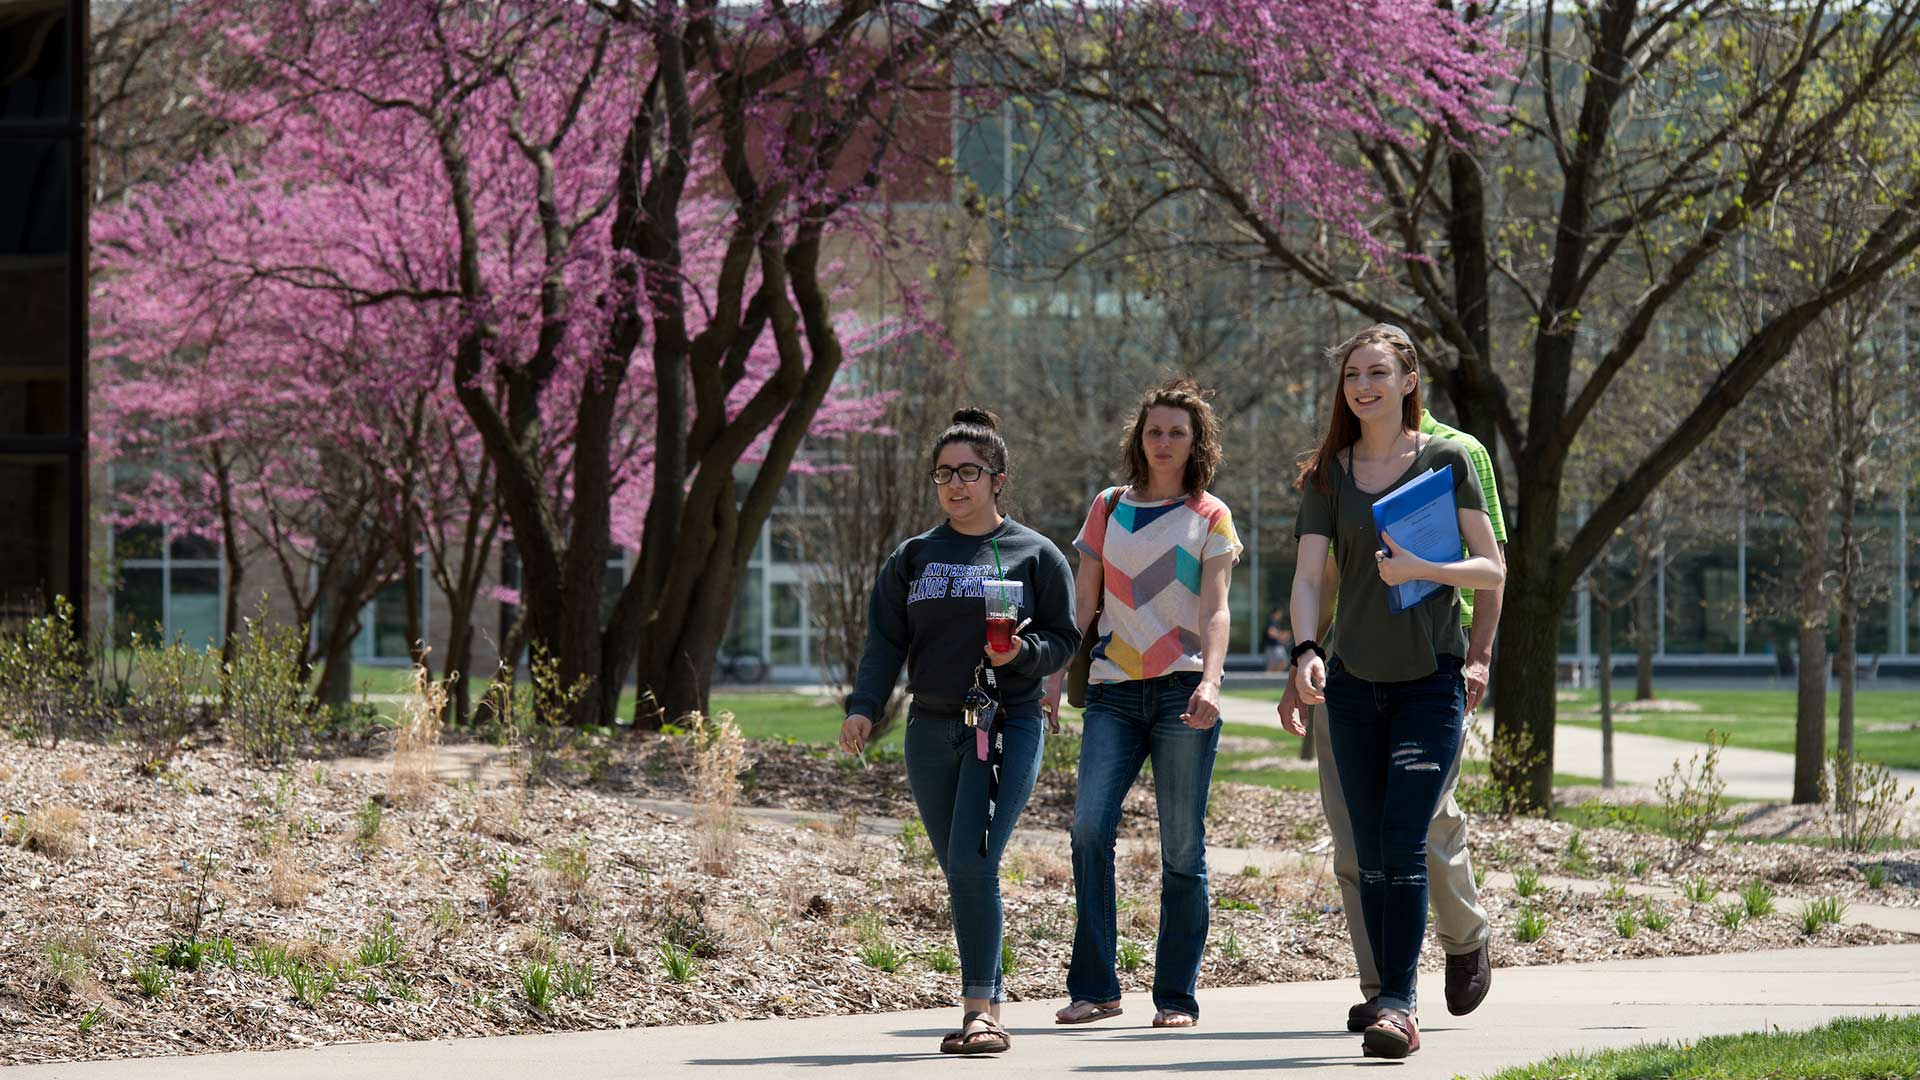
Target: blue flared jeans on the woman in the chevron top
[(1128, 724)]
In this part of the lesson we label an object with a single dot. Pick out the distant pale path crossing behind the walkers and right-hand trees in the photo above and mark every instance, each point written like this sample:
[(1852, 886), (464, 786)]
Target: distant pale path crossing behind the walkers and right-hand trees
[(1637, 758)]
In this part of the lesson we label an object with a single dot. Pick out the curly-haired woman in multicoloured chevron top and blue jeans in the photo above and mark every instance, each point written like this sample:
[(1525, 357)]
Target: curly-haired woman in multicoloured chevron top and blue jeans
[(1157, 556)]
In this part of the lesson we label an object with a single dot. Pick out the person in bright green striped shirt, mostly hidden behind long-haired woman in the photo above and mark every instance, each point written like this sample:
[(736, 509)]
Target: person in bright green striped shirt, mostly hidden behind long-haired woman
[(1458, 916)]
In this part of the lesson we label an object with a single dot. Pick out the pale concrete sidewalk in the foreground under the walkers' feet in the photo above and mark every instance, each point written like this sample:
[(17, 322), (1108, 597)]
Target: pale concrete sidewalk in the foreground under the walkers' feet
[(1245, 1031)]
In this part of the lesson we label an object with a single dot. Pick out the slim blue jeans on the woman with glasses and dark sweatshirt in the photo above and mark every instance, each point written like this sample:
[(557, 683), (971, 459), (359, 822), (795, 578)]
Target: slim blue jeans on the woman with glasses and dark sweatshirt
[(949, 785)]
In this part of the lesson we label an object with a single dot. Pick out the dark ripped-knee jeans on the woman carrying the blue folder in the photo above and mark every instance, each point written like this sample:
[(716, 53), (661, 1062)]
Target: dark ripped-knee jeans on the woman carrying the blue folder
[(1395, 747)]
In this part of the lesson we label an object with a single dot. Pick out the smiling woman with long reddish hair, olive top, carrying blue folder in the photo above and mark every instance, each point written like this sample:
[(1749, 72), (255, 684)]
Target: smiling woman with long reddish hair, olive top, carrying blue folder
[(1395, 683)]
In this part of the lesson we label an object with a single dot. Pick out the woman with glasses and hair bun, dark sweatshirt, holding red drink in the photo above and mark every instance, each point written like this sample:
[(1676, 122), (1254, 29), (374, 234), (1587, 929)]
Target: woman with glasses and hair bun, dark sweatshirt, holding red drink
[(974, 727)]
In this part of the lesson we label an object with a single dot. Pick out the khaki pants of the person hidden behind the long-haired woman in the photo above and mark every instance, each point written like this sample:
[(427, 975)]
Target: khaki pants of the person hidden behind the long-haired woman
[(1456, 902)]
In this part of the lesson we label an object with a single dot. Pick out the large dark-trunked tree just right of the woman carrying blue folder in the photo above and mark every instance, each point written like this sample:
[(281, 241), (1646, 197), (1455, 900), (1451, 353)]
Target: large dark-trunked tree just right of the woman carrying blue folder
[(1643, 147)]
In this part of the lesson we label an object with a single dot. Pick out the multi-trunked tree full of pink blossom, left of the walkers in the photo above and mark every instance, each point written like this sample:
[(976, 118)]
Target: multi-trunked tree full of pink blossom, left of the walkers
[(596, 235)]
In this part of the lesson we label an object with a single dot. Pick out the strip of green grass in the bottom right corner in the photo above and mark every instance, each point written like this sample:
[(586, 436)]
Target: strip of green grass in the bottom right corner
[(1856, 1048)]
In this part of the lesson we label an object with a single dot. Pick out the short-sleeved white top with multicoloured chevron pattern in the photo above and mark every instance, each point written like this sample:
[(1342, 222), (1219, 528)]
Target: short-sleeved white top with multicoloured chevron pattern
[(1151, 556)]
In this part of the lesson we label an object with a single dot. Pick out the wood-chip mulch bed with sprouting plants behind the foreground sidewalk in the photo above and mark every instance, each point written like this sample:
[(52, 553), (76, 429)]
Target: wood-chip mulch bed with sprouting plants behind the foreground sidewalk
[(485, 883)]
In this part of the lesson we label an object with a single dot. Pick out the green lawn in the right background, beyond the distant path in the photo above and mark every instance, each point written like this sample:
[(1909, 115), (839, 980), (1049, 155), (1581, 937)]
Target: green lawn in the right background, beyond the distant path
[(1764, 720)]
